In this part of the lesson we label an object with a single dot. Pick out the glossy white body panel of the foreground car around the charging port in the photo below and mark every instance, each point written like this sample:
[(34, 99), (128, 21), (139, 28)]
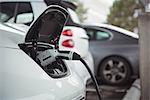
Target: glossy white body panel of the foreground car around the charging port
[(23, 79)]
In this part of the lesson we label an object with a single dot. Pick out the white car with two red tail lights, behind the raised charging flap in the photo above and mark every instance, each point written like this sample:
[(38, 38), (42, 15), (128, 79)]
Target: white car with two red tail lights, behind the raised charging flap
[(73, 38)]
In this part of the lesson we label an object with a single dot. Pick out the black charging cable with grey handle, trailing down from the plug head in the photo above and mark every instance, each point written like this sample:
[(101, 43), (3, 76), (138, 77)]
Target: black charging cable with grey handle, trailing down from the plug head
[(68, 55)]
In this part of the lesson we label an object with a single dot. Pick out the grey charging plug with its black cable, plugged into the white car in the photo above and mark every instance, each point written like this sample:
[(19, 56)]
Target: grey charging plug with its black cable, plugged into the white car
[(50, 55)]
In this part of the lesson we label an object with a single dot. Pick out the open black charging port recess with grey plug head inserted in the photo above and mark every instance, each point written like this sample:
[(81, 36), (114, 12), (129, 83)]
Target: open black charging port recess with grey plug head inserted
[(56, 68)]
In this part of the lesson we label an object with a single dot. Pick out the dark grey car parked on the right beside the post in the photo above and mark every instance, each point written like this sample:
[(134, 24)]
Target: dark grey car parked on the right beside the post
[(115, 53)]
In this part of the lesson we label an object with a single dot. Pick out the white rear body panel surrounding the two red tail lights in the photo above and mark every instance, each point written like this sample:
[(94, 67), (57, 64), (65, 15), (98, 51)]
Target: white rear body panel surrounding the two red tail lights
[(79, 38)]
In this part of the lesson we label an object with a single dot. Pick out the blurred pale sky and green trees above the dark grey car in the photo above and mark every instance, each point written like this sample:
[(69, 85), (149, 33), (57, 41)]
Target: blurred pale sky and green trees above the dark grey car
[(122, 13)]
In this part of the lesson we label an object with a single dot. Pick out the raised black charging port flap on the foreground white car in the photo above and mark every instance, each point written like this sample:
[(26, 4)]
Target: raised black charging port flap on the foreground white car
[(48, 26)]
